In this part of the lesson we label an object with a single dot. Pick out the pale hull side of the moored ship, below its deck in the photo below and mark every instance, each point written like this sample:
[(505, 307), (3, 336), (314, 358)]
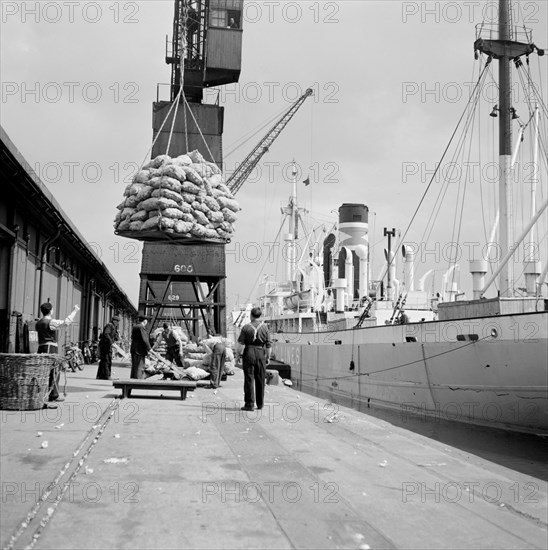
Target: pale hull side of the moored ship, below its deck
[(487, 371)]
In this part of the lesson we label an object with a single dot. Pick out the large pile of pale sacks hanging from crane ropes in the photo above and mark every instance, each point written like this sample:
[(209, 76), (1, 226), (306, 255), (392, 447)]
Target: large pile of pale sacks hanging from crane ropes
[(185, 196)]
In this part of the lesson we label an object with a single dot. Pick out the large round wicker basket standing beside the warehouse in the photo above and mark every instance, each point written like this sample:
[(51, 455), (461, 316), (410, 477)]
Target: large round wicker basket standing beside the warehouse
[(24, 379)]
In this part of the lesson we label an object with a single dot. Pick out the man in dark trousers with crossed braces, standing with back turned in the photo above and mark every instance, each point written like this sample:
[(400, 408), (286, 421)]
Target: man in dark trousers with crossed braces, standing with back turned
[(254, 347)]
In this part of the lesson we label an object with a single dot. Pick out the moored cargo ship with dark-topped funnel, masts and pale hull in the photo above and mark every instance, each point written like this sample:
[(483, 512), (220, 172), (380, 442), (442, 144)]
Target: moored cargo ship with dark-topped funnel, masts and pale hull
[(383, 343)]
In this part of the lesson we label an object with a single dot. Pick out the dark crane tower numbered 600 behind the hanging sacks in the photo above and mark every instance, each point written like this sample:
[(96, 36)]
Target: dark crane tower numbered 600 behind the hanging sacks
[(186, 282)]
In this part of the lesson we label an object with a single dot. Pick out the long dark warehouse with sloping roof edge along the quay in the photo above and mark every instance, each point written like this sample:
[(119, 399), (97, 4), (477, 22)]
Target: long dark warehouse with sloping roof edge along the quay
[(44, 258)]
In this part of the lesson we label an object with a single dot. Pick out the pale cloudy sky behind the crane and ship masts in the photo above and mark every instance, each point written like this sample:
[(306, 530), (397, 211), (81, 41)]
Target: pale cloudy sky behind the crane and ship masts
[(390, 79)]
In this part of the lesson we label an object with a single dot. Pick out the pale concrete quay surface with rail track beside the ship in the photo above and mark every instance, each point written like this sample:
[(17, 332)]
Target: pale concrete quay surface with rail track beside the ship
[(155, 472)]
